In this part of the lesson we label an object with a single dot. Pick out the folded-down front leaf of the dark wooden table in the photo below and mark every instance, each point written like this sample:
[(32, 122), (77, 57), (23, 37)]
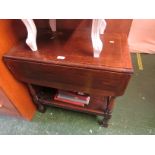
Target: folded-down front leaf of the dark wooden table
[(72, 78)]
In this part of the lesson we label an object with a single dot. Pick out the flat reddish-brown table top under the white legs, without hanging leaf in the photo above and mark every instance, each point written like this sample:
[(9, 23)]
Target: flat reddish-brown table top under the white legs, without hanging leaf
[(77, 49)]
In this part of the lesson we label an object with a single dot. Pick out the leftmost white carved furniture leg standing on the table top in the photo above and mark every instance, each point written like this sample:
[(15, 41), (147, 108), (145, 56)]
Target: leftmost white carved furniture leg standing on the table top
[(32, 34)]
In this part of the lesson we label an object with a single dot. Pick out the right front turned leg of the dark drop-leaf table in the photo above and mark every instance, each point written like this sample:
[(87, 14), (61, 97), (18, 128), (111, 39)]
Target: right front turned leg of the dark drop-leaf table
[(107, 111)]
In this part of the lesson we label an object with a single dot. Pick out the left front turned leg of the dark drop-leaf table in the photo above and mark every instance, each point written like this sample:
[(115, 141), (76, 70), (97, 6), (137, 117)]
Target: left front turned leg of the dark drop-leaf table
[(40, 107)]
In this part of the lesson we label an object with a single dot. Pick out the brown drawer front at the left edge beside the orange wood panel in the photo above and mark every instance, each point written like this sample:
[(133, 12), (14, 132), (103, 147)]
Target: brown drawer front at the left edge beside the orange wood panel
[(6, 107)]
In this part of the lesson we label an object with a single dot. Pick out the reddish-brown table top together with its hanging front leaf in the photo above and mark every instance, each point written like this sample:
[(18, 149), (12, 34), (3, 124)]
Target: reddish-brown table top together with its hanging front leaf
[(79, 69)]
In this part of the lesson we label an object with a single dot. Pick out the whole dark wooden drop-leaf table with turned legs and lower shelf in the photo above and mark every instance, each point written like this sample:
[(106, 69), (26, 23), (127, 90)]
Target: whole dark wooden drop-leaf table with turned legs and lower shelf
[(103, 78)]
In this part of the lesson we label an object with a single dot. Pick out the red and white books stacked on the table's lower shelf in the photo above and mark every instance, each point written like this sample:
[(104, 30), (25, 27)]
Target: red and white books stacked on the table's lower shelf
[(75, 98)]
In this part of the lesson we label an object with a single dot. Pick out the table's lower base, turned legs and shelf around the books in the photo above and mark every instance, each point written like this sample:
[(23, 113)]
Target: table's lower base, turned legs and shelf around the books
[(100, 105)]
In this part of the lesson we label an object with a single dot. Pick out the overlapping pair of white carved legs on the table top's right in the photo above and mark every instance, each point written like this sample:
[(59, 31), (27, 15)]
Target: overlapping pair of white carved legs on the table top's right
[(98, 27)]
